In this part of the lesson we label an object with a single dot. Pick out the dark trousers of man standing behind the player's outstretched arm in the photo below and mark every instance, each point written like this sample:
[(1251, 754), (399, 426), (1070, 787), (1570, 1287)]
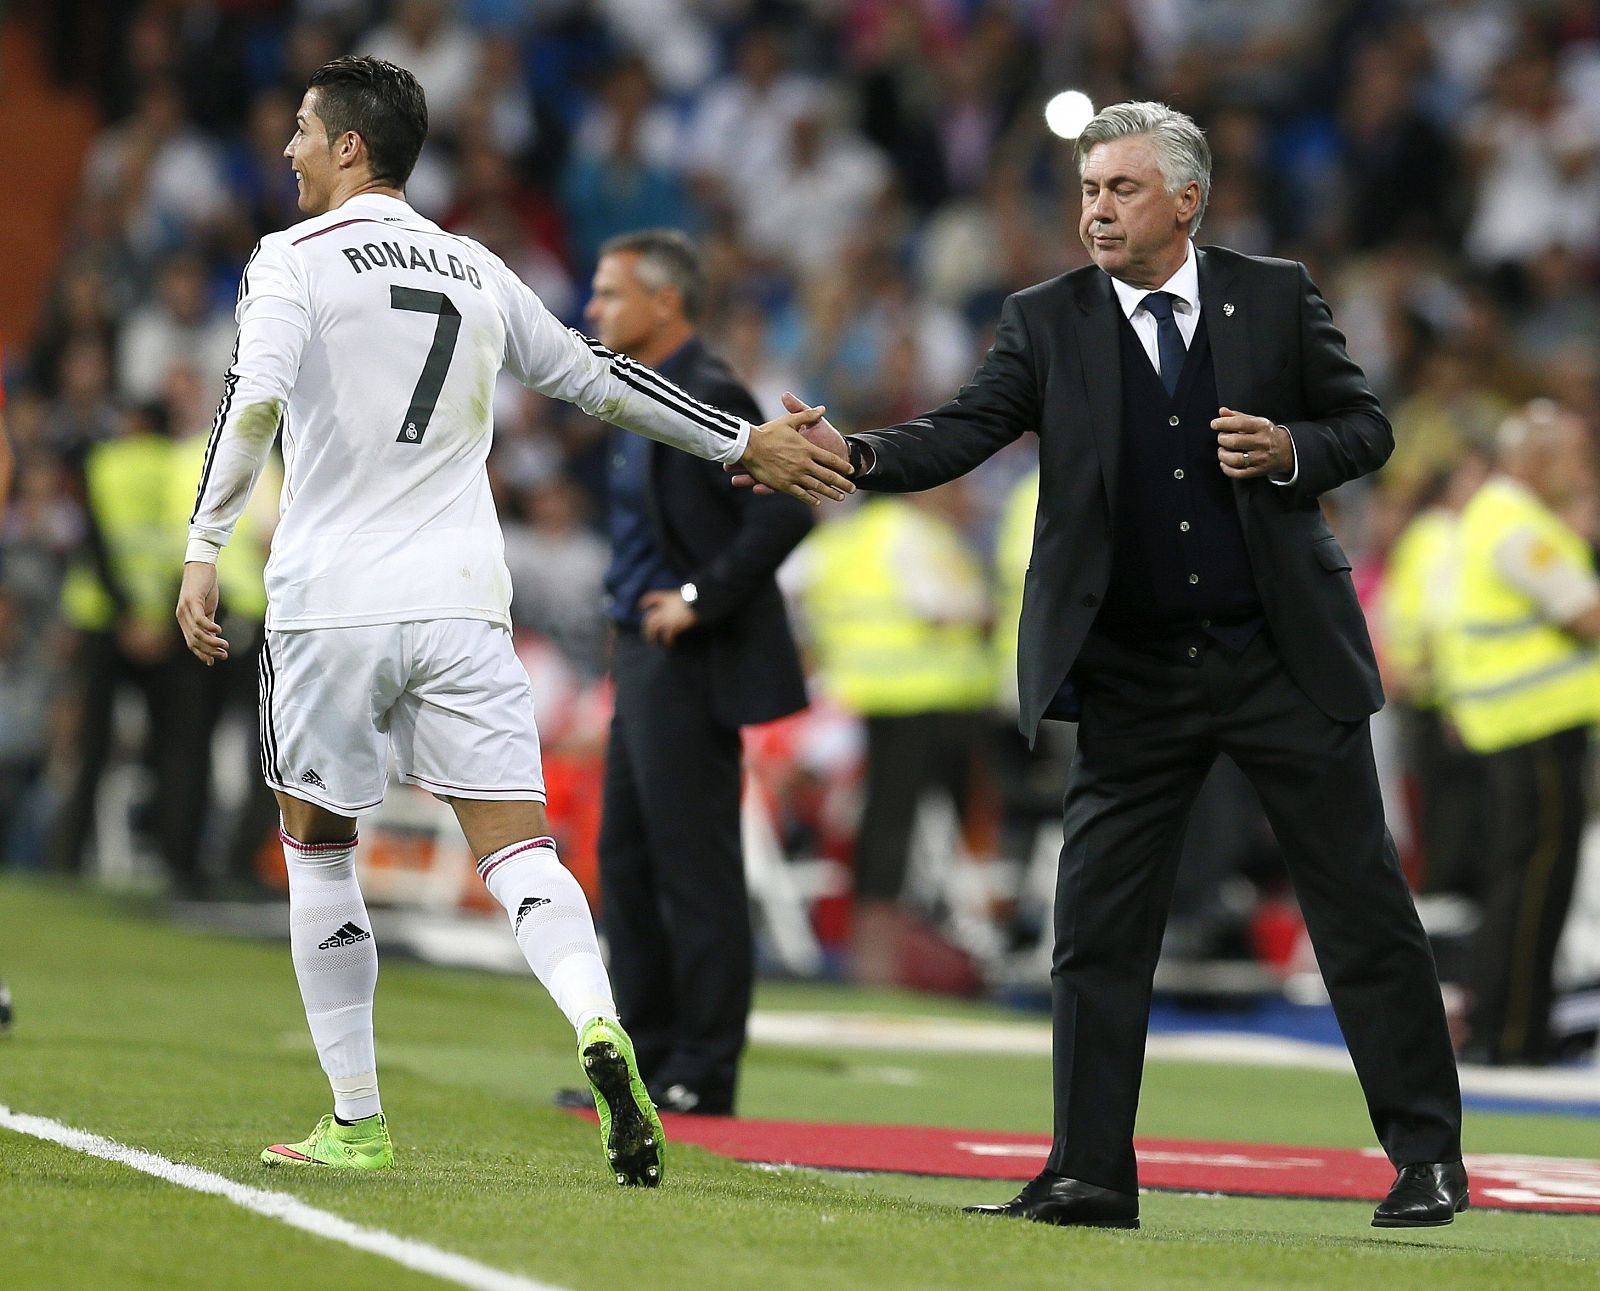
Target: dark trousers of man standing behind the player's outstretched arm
[(676, 908)]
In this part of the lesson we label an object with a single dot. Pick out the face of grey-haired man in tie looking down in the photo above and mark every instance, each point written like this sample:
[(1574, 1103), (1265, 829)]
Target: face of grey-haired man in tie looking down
[(1132, 226)]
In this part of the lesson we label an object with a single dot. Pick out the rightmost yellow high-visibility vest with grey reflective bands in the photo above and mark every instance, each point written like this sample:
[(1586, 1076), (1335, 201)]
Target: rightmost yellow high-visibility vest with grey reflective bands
[(1510, 674)]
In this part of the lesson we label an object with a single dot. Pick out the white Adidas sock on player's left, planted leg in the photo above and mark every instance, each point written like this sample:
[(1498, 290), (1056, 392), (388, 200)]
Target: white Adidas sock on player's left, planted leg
[(337, 965)]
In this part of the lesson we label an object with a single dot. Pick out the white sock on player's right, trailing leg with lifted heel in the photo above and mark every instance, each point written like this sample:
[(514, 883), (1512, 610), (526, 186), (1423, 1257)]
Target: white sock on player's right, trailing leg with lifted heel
[(551, 921)]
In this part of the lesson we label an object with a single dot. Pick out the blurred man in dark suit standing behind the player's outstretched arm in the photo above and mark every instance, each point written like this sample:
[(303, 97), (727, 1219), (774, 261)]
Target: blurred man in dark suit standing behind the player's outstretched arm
[(703, 649)]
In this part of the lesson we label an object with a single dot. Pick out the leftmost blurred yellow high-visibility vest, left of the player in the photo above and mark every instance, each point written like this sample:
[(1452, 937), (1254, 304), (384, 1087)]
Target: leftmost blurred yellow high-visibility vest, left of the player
[(129, 489)]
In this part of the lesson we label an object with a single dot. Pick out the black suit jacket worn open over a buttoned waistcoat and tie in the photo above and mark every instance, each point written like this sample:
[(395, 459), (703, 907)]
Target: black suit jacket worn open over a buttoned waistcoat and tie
[(1055, 372)]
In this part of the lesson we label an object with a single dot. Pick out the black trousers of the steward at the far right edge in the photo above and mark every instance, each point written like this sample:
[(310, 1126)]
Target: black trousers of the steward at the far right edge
[(1537, 825)]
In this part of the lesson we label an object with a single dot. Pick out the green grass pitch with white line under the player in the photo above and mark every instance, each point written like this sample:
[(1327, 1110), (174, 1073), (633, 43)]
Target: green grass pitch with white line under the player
[(196, 1049)]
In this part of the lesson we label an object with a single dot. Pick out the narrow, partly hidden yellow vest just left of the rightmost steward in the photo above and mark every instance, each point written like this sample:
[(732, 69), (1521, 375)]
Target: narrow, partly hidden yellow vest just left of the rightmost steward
[(1418, 599)]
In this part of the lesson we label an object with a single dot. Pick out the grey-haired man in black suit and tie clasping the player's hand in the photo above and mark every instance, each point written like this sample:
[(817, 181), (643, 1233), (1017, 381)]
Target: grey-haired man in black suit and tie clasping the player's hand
[(1186, 599)]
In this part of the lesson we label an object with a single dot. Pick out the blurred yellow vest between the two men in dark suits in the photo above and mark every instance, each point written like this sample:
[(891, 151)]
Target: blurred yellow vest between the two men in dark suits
[(878, 655)]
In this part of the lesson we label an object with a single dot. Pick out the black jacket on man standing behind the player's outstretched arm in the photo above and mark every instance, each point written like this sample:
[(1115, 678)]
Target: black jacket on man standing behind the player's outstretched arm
[(729, 543)]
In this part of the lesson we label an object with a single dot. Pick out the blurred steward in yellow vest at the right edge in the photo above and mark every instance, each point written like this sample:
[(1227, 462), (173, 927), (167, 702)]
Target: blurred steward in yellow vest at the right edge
[(1521, 681)]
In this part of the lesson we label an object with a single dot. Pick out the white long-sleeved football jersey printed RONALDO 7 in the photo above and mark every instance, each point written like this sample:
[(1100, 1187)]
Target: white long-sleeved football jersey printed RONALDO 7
[(372, 338)]
